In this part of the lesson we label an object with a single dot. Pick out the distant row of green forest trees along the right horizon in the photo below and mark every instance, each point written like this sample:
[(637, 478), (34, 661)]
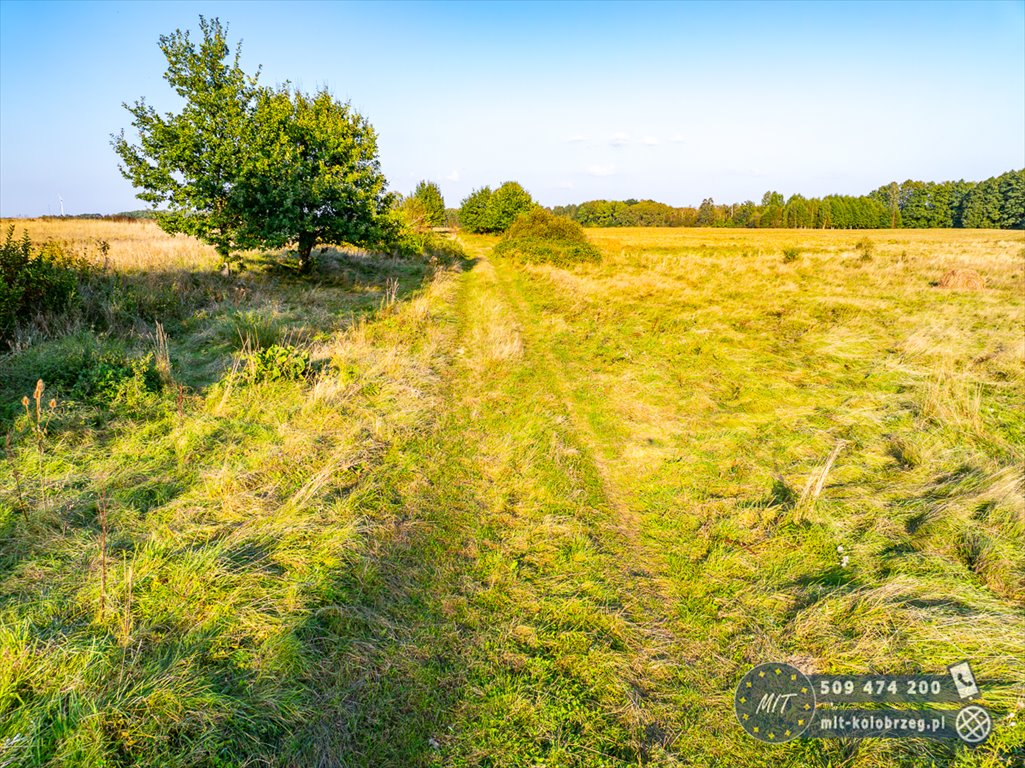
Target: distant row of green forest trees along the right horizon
[(996, 204)]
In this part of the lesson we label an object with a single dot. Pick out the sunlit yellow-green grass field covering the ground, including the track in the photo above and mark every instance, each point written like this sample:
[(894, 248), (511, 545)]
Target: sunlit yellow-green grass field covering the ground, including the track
[(513, 516)]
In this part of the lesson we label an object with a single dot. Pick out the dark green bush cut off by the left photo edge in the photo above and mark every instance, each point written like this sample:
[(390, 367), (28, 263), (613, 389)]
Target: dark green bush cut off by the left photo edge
[(34, 282)]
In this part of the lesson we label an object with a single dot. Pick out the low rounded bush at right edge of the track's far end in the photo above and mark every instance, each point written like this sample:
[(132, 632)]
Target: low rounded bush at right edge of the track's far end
[(540, 236)]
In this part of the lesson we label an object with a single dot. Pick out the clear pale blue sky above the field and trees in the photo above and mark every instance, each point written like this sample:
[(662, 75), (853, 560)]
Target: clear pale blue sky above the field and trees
[(576, 101)]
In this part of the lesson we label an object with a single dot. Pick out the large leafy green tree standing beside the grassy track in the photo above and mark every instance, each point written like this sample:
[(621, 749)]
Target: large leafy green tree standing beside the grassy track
[(244, 167)]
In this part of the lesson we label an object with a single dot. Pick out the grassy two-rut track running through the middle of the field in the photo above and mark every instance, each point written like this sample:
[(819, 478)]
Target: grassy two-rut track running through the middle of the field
[(581, 653)]
